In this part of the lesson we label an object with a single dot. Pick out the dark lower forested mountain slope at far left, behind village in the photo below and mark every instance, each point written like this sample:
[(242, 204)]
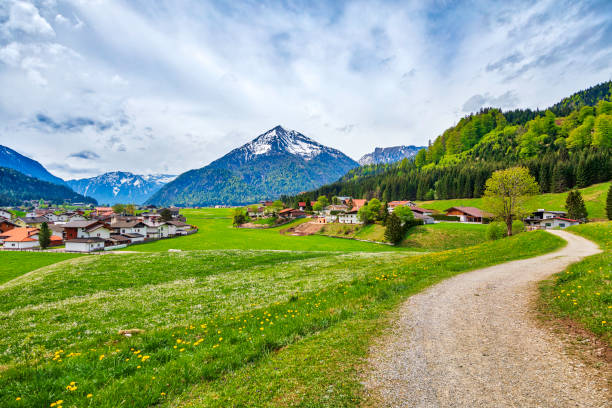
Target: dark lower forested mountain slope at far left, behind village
[(15, 187)]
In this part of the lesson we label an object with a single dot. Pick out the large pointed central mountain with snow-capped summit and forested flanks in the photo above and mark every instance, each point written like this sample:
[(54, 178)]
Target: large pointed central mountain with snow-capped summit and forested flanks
[(277, 162)]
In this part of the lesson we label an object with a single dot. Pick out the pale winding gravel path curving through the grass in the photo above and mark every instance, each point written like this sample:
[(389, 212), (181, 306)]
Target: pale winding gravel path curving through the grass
[(471, 341)]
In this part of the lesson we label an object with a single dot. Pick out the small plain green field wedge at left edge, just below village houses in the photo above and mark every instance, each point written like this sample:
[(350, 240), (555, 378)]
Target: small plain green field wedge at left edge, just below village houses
[(13, 264)]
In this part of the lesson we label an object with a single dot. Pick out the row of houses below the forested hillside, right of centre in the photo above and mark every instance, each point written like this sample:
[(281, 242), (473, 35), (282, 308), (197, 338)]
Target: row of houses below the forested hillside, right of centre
[(346, 210)]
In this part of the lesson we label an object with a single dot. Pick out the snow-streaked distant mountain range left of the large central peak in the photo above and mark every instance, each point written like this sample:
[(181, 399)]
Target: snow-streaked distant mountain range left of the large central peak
[(120, 187)]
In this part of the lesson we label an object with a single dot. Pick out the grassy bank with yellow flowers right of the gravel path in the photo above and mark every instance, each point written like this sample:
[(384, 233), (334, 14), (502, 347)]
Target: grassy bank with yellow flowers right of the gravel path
[(583, 292)]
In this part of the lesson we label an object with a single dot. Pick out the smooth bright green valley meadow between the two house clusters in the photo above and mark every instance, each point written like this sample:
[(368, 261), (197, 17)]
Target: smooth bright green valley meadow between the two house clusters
[(216, 232)]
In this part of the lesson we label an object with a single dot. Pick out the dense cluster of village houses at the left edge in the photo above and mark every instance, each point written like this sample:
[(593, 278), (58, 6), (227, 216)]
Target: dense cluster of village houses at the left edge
[(87, 230)]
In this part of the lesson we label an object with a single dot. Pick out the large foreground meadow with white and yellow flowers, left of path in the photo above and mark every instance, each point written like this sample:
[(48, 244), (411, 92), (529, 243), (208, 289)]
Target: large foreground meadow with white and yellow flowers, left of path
[(212, 305)]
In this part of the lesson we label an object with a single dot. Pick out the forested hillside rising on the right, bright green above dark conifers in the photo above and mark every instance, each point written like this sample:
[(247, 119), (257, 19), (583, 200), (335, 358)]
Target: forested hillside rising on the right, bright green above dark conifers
[(565, 146)]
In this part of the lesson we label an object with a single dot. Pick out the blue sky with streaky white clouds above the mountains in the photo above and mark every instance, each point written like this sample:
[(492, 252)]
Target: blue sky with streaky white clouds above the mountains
[(152, 86)]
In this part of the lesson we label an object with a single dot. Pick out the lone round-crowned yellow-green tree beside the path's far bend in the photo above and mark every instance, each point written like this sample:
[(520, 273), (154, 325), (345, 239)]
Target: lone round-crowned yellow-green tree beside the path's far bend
[(506, 192)]
